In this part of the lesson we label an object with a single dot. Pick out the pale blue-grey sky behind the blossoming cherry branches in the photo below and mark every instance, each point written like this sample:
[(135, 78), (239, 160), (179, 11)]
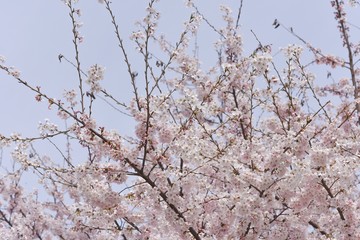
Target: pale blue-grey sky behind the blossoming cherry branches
[(35, 32)]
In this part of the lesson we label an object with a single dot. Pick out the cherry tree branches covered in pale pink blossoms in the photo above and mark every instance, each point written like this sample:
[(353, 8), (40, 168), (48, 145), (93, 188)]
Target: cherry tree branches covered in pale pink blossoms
[(250, 149)]
